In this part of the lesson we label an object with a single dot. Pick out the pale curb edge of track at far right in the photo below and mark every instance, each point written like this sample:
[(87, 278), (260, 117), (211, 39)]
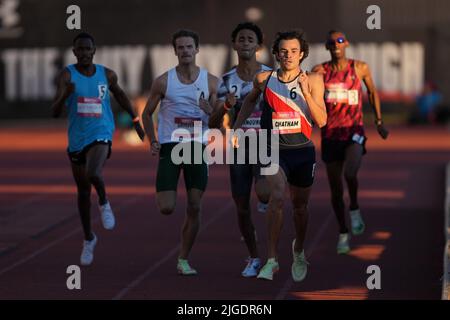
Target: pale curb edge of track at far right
[(446, 275)]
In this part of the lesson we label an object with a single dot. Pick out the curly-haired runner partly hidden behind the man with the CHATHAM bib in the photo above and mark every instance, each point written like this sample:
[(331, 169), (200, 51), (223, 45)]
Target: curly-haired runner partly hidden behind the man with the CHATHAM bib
[(247, 39)]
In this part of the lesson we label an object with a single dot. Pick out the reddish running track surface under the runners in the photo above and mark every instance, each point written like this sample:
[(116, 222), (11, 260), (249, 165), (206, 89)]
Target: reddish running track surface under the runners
[(401, 197)]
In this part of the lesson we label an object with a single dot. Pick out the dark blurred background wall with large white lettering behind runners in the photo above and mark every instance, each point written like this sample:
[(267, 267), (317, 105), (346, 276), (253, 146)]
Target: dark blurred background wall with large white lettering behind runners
[(409, 57)]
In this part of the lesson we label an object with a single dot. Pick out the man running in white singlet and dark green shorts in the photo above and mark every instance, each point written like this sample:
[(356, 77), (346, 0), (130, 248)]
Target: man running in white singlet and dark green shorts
[(186, 93)]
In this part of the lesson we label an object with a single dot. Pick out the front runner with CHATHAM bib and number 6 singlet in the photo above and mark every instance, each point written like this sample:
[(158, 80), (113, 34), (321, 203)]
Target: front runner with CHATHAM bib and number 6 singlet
[(293, 100)]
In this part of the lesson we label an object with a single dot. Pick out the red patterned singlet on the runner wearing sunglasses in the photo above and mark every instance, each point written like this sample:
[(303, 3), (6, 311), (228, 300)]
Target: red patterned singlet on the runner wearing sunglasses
[(343, 100)]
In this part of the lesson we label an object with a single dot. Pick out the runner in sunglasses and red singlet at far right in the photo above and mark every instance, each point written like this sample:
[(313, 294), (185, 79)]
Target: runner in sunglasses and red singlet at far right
[(343, 138)]
